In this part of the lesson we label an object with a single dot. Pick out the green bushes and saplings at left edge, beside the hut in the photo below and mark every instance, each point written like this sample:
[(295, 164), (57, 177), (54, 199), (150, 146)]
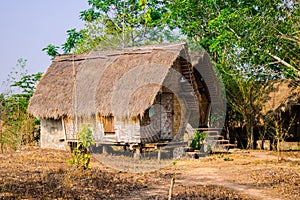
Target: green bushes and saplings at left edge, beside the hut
[(19, 128)]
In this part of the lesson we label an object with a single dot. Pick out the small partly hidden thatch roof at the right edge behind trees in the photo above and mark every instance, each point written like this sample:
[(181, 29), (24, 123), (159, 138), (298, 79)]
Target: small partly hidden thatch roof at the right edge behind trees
[(285, 93)]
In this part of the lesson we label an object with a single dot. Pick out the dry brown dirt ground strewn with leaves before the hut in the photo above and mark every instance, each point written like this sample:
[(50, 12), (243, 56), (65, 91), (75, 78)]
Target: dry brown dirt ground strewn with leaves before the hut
[(37, 173)]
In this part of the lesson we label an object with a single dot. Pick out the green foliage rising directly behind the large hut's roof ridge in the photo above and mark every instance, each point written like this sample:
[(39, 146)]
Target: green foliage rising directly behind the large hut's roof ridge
[(118, 24)]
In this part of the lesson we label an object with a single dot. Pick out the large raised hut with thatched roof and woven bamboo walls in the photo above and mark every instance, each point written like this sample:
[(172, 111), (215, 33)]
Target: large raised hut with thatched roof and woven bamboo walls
[(116, 92)]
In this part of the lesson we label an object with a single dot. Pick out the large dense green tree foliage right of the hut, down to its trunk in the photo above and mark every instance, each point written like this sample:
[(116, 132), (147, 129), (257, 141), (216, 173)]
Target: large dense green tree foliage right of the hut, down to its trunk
[(250, 42)]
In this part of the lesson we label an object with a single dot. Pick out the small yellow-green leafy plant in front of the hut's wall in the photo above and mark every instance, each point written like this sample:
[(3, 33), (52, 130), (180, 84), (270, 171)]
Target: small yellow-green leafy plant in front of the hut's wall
[(81, 154)]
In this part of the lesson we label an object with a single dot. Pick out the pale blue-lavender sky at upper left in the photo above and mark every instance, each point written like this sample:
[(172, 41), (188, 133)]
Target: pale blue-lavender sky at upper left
[(27, 26)]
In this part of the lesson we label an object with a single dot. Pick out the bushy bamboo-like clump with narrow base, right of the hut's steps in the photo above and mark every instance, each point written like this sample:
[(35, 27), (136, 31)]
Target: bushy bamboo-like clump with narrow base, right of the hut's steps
[(246, 98)]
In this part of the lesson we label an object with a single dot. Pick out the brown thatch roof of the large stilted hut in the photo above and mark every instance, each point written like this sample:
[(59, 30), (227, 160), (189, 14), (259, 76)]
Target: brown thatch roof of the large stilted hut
[(89, 84)]
